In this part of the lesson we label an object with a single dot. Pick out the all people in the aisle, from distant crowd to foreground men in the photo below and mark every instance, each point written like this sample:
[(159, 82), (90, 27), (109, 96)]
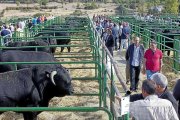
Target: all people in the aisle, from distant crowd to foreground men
[(155, 100)]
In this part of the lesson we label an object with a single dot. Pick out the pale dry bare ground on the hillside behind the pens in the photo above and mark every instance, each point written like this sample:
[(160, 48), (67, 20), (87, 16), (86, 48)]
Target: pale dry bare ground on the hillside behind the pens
[(67, 9)]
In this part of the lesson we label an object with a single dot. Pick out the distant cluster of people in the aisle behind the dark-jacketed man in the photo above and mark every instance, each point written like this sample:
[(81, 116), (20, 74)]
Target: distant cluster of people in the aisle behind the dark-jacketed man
[(115, 36)]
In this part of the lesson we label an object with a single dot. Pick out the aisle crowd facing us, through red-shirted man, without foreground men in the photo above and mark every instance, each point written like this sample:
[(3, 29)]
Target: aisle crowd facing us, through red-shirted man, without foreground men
[(137, 58)]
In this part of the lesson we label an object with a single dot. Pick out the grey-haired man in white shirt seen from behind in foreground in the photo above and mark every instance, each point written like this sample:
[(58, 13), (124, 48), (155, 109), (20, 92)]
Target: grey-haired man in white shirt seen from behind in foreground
[(152, 107)]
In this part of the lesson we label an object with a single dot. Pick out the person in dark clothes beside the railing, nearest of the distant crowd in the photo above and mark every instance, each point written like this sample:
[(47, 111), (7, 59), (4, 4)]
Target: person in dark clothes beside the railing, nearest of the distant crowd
[(109, 41)]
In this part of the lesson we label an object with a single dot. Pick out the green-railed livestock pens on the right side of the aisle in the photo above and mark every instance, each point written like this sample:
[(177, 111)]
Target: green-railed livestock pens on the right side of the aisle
[(150, 30)]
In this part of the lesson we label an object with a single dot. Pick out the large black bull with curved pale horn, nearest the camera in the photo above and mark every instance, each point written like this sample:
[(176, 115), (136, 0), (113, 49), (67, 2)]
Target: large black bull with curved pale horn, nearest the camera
[(27, 88)]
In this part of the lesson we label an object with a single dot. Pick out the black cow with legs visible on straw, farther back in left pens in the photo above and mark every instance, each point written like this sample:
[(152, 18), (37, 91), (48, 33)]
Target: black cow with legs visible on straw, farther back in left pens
[(65, 41)]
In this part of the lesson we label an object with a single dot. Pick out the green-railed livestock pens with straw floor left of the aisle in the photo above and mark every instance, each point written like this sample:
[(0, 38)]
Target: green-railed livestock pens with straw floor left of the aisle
[(95, 75)]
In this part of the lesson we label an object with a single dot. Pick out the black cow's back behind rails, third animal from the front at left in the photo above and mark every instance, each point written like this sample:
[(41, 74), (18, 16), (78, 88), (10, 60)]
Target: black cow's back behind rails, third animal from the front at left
[(33, 43)]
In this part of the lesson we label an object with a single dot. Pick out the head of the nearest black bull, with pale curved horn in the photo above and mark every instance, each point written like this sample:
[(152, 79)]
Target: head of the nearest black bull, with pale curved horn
[(61, 80)]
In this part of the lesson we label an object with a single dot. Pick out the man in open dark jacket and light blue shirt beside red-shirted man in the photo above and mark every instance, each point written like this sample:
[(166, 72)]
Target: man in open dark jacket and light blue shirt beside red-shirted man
[(134, 55)]
